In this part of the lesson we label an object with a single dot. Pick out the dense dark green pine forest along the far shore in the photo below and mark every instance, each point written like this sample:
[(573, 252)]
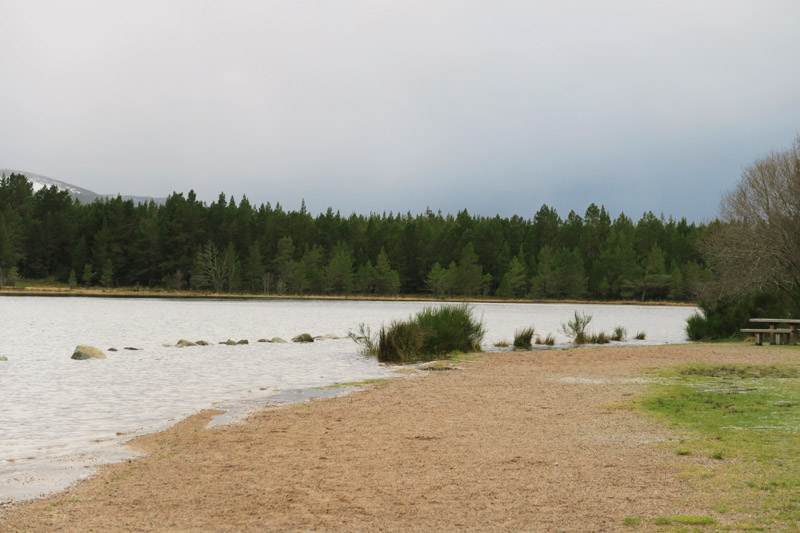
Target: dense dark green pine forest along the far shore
[(230, 246)]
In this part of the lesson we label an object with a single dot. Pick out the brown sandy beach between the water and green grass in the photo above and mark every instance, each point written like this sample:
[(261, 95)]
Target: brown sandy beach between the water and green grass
[(514, 441)]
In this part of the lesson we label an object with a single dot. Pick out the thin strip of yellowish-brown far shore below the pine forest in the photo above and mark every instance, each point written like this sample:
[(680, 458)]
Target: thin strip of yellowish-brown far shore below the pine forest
[(131, 292)]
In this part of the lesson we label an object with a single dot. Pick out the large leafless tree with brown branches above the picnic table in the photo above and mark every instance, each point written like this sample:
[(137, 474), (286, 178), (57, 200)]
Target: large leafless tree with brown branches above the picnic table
[(757, 243)]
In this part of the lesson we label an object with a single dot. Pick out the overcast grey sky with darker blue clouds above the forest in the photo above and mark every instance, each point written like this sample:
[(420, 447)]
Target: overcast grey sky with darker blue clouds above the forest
[(377, 105)]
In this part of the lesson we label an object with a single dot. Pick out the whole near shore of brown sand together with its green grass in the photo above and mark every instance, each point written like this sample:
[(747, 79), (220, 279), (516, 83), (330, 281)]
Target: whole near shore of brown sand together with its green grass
[(611, 439)]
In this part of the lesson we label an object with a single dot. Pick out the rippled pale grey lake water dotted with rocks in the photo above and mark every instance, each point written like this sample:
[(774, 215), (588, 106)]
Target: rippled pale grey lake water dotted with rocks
[(61, 417)]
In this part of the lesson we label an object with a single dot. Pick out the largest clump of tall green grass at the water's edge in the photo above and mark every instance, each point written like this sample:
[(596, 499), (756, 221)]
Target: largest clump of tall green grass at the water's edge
[(430, 334)]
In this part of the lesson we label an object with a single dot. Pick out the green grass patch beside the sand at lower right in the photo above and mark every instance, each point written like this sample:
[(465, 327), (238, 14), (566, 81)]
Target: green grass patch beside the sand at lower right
[(748, 416)]
